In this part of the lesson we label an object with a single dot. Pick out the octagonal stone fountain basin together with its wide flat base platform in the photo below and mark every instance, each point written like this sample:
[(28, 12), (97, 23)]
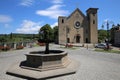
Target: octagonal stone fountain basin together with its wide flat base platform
[(42, 66)]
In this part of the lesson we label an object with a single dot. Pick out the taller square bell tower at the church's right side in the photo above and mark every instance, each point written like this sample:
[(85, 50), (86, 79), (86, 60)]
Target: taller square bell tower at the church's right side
[(92, 24)]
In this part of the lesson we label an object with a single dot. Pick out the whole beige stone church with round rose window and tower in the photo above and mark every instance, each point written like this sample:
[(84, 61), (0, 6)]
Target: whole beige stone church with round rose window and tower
[(78, 28)]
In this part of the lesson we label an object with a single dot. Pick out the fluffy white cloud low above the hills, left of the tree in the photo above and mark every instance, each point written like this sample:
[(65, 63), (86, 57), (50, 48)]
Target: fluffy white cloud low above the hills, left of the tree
[(29, 27)]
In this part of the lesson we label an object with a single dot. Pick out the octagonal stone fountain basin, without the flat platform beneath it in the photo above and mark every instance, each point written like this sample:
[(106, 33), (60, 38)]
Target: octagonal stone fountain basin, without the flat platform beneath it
[(40, 61)]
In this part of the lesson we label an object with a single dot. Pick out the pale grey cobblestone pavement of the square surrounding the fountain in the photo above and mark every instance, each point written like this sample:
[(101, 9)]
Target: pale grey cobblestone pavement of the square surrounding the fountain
[(93, 65)]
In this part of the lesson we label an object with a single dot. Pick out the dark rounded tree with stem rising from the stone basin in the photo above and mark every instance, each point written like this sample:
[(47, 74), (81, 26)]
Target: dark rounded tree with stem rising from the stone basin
[(46, 33)]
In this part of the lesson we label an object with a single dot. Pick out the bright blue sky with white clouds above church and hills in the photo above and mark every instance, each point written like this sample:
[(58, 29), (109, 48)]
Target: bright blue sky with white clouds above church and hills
[(28, 16)]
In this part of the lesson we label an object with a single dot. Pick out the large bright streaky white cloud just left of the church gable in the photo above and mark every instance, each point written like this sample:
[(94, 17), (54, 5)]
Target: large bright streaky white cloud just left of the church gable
[(53, 12)]
